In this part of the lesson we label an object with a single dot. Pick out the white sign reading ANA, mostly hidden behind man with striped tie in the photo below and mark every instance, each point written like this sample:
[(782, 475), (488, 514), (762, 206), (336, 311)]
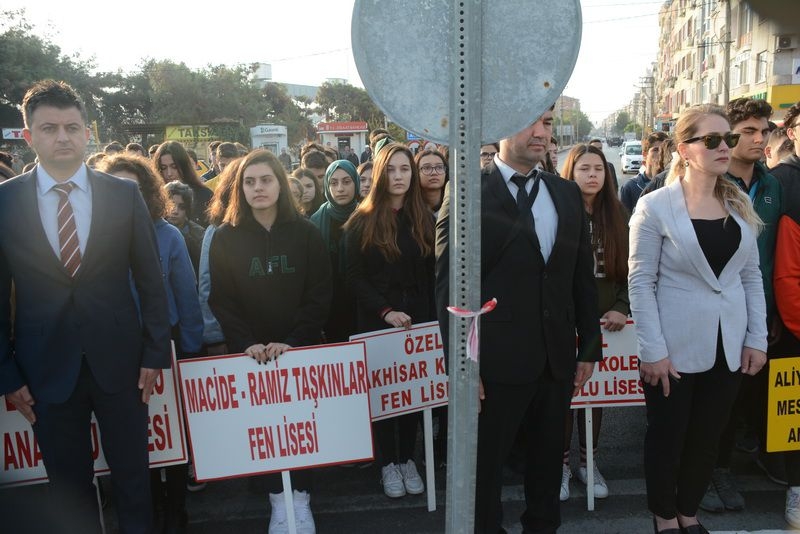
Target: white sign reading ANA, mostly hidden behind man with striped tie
[(22, 461)]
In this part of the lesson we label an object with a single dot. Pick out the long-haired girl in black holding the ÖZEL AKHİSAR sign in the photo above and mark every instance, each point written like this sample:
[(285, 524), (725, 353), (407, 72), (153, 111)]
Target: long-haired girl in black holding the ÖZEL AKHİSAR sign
[(389, 246)]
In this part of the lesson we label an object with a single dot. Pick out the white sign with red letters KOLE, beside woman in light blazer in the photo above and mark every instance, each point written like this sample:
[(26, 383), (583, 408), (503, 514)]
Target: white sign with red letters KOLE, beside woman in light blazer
[(615, 381)]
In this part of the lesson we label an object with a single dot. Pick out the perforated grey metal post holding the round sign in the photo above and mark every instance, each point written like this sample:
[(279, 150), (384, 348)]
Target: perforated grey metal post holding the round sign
[(465, 256)]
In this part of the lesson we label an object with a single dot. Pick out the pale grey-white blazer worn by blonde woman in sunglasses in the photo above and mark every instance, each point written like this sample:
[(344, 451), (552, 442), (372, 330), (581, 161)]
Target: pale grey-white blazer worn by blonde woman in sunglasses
[(676, 299)]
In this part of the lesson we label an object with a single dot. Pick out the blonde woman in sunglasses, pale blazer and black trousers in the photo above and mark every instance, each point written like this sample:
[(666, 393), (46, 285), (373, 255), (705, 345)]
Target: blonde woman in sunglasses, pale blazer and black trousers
[(698, 300)]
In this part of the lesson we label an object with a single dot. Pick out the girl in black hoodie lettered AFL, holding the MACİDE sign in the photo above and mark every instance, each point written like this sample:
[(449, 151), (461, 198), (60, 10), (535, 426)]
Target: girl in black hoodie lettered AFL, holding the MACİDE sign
[(270, 286)]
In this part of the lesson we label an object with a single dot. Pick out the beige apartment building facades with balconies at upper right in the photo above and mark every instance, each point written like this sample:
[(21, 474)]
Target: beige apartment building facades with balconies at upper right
[(713, 51)]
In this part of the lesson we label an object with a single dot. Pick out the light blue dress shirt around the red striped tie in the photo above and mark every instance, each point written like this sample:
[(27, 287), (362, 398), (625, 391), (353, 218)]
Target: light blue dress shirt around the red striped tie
[(81, 199)]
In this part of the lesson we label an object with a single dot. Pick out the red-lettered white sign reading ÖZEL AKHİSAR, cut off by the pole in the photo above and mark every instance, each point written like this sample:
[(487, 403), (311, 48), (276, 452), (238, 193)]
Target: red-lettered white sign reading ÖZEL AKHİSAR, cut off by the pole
[(406, 369)]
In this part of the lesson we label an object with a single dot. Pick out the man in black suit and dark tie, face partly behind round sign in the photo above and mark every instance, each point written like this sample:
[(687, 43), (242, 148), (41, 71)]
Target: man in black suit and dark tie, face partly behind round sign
[(536, 259)]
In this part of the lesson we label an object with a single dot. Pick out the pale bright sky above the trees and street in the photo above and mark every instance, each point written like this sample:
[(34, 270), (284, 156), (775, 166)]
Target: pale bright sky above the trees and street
[(308, 41)]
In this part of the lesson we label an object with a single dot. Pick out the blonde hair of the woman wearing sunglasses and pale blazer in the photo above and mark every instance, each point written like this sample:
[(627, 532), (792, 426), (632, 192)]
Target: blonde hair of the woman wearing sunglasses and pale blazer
[(725, 190)]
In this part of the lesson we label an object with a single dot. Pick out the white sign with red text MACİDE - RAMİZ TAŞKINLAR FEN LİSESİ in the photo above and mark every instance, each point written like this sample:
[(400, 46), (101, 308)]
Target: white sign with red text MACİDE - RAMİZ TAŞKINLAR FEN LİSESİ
[(308, 408)]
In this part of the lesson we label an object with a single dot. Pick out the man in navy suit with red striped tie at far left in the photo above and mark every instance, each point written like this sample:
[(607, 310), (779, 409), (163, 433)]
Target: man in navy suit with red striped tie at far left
[(70, 238)]
